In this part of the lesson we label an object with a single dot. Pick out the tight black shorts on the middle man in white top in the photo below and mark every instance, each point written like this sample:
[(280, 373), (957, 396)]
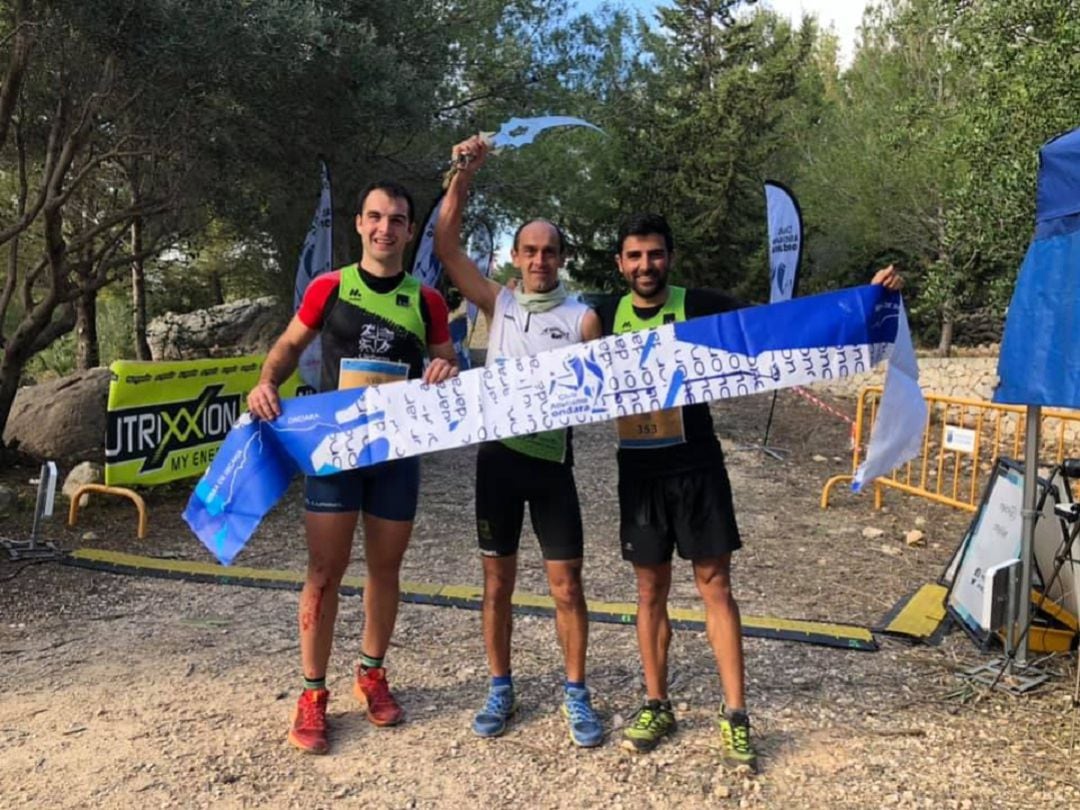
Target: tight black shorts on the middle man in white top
[(506, 482)]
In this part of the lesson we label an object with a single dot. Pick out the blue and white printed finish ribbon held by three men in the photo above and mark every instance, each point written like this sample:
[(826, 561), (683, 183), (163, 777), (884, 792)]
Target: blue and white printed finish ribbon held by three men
[(748, 352)]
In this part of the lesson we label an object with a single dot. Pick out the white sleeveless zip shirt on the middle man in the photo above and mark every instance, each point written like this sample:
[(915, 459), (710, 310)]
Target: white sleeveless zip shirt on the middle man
[(518, 334)]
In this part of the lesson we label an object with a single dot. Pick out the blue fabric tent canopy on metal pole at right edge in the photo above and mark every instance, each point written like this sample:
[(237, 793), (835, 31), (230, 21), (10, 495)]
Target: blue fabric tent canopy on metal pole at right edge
[(1041, 352)]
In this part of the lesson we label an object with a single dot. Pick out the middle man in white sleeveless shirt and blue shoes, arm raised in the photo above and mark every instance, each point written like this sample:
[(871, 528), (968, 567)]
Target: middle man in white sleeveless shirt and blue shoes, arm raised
[(535, 469)]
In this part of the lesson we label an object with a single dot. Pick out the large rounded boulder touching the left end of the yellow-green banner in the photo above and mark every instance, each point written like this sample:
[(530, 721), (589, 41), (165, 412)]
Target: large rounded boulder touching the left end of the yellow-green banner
[(62, 420)]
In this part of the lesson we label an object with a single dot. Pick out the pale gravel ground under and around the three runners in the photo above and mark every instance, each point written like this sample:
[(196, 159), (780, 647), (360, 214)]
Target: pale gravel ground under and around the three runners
[(120, 692)]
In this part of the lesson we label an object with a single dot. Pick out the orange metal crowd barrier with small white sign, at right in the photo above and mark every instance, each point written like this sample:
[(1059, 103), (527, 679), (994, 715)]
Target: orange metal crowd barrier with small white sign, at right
[(962, 441)]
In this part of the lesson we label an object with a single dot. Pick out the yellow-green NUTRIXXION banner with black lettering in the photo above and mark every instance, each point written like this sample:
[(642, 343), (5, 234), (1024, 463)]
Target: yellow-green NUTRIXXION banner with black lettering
[(167, 421)]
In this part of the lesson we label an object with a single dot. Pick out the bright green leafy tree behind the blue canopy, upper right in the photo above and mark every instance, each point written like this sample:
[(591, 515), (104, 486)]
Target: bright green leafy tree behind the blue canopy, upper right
[(927, 151)]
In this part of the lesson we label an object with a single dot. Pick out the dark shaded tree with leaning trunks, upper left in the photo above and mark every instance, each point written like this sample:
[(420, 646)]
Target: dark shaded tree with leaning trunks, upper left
[(169, 116)]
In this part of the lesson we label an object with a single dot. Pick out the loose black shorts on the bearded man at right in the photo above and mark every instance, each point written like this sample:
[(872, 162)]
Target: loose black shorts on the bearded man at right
[(690, 511)]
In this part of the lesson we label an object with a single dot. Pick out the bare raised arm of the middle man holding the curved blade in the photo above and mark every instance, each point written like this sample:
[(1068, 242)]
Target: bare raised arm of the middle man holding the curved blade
[(449, 249)]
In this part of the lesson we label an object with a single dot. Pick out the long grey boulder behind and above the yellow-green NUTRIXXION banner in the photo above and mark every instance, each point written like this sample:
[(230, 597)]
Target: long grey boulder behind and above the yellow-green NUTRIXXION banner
[(248, 327)]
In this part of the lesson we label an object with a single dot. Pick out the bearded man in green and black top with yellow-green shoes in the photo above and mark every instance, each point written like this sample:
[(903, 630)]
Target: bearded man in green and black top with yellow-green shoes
[(674, 495)]
